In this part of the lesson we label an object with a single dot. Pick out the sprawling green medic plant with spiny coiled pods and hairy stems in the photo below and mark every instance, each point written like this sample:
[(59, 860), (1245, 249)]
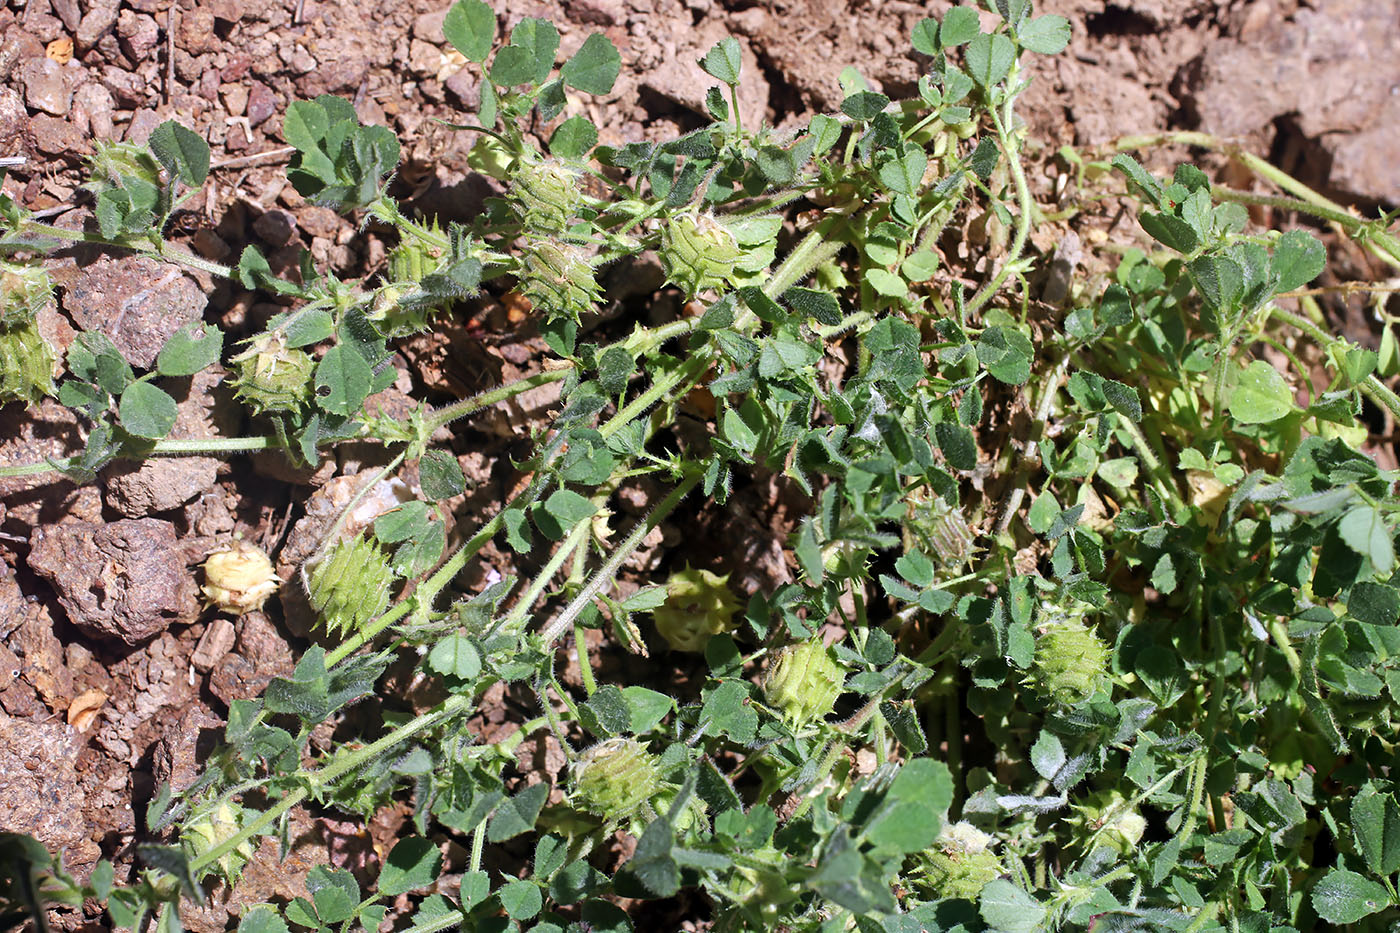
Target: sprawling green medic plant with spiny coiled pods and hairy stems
[(1128, 666)]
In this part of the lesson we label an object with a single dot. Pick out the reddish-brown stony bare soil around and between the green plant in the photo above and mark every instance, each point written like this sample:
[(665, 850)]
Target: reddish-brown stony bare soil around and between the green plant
[(113, 676)]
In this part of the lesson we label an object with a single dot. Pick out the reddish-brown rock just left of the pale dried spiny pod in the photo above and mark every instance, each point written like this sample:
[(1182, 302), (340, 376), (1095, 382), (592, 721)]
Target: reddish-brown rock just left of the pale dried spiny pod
[(117, 581)]
